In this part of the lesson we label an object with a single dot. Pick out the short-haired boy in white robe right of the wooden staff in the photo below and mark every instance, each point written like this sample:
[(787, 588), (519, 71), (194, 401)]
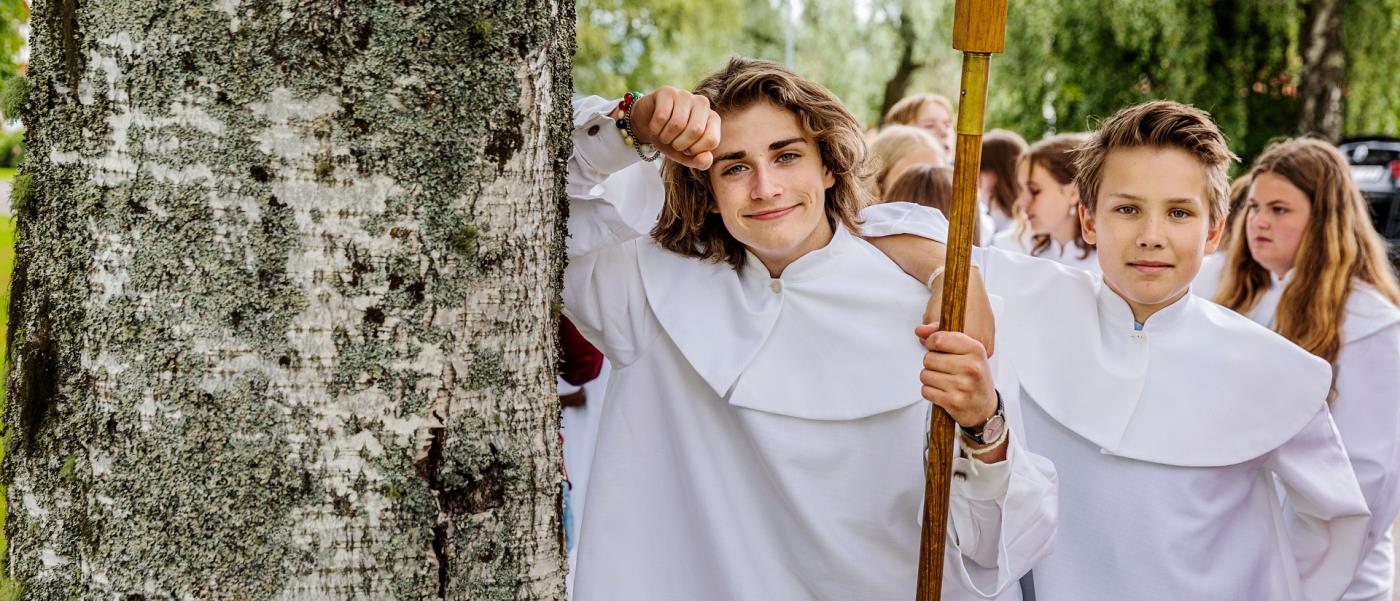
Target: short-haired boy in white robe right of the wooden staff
[(1174, 424)]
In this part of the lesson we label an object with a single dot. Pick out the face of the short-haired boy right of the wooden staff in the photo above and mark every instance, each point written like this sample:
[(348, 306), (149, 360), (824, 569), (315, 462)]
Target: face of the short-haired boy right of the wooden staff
[(1151, 225)]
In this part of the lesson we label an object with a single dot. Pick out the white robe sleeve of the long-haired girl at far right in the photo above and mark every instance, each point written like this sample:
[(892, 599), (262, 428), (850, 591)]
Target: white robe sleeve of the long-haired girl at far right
[(1368, 417)]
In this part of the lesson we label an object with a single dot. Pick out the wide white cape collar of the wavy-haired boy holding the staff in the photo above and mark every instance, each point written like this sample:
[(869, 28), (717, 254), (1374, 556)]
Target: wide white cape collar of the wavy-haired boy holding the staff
[(834, 338)]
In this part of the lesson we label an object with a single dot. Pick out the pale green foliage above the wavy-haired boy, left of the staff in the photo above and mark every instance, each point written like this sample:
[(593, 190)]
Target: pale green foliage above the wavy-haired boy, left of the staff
[(849, 47)]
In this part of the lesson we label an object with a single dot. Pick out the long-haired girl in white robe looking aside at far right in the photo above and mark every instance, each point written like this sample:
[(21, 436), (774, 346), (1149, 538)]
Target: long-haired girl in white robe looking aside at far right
[(1290, 272)]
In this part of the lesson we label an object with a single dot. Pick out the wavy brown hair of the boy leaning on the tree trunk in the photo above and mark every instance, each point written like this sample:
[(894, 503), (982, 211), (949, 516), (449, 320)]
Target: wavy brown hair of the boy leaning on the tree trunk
[(688, 223)]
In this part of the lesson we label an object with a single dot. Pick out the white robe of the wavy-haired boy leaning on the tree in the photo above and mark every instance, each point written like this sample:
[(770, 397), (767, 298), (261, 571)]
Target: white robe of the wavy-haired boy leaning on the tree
[(764, 439)]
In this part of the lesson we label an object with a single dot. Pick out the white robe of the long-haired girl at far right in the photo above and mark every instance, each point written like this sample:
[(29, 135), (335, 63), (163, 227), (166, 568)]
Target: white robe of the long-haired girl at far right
[(1367, 411)]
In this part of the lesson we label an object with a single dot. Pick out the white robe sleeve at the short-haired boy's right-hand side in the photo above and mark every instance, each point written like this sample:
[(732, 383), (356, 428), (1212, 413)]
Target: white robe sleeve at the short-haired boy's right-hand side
[(1324, 513)]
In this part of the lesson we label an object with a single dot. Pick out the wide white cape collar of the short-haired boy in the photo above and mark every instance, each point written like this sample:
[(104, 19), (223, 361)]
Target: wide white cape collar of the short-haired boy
[(1199, 386)]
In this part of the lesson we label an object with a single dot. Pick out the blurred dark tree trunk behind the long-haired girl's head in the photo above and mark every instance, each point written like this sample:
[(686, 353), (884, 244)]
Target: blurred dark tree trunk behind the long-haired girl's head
[(1325, 69)]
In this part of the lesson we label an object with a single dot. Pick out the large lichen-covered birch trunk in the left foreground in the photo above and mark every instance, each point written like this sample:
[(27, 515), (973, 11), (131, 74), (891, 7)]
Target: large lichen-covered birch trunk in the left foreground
[(283, 306)]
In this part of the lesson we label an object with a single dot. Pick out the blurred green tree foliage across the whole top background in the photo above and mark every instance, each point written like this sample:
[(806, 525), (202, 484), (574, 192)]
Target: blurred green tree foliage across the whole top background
[(1067, 62)]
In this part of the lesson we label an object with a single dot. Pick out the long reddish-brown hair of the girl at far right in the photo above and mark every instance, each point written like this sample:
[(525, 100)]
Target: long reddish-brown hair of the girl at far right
[(1340, 247)]
